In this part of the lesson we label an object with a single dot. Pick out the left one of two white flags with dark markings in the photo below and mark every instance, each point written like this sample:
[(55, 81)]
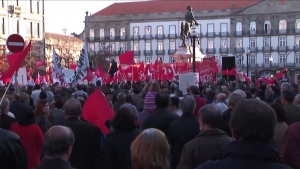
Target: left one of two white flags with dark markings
[(57, 73)]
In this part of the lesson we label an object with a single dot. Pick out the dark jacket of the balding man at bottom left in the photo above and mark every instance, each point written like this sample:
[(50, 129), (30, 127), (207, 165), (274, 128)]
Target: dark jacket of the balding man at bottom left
[(54, 163)]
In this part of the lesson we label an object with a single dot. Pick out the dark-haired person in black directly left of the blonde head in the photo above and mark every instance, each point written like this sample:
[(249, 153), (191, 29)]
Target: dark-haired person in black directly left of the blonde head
[(117, 143)]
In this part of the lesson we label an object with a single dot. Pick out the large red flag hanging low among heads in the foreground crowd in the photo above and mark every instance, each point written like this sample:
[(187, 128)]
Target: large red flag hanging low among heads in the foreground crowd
[(96, 113)]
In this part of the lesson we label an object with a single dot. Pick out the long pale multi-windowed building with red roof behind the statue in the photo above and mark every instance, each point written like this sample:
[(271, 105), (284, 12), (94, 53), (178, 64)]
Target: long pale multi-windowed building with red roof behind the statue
[(267, 28)]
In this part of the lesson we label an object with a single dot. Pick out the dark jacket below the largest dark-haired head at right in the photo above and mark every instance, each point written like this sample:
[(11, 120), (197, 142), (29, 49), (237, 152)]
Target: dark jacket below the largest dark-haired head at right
[(246, 155)]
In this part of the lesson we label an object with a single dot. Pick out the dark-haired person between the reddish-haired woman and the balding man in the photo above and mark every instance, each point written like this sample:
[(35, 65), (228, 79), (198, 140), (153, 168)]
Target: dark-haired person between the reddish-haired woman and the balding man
[(56, 115)]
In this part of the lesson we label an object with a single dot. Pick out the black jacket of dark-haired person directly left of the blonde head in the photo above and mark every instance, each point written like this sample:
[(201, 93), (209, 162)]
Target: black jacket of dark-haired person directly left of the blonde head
[(117, 149)]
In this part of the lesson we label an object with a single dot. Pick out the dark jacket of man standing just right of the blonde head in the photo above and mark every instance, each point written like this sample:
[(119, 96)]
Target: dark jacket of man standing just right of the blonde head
[(182, 131)]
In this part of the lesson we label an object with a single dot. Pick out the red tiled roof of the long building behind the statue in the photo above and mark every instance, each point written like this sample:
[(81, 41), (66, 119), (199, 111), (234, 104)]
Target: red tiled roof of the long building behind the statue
[(144, 7)]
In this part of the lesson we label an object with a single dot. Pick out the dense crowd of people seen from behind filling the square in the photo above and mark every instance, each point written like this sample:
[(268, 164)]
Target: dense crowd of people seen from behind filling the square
[(155, 126)]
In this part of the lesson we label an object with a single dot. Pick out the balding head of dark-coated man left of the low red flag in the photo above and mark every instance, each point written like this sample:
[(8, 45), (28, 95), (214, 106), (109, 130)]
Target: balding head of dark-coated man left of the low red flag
[(72, 107)]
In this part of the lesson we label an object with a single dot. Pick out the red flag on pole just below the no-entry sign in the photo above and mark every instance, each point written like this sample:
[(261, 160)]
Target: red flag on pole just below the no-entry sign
[(15, 61)]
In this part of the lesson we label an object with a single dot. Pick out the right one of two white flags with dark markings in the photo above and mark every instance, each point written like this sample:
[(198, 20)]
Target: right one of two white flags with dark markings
[(82, 65)]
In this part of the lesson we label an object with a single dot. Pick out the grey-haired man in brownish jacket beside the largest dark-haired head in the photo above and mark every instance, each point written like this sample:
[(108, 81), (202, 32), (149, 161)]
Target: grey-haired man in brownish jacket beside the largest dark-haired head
[(208, 142)]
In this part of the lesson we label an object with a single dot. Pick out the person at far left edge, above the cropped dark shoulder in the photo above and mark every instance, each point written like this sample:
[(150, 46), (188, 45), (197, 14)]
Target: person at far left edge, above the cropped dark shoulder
[(5, 119)]
